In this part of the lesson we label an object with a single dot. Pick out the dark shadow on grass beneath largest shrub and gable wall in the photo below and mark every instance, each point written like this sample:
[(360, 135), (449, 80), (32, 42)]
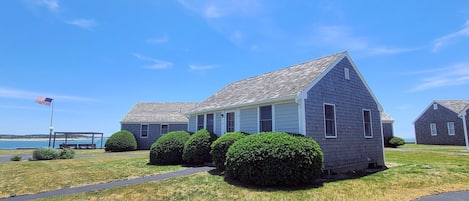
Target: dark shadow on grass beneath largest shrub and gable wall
[(317, 184)]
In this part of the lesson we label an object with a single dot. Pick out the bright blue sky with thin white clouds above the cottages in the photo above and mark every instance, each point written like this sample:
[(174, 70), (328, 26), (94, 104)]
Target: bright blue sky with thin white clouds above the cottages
[(99, 58)]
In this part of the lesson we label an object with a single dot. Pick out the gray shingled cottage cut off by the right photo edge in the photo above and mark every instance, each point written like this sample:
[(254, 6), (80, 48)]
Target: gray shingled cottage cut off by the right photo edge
[(442, 123)]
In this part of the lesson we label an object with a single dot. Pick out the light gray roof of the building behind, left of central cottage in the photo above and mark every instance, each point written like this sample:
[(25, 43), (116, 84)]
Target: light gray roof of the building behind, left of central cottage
[(158, 113)]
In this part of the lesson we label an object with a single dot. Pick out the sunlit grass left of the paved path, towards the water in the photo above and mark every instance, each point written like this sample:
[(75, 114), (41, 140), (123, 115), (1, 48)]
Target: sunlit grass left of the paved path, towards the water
[(27, 177)]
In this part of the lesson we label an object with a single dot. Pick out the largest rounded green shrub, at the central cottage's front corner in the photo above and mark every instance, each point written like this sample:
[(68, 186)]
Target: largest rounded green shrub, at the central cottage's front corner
[(274, 159)]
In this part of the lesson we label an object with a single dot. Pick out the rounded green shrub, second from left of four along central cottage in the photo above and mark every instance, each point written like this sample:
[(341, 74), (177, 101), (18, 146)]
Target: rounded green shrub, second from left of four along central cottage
[(197, 148)]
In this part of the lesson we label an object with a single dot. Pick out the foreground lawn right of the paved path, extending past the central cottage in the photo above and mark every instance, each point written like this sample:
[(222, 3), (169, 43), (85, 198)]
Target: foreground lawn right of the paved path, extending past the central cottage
[(412, 174)]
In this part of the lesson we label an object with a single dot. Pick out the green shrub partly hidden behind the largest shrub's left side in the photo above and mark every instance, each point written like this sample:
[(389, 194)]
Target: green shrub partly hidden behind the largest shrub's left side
[(220, 146)]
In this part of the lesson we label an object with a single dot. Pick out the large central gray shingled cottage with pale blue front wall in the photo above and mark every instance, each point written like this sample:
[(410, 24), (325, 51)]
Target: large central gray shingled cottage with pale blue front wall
[(326, 99)]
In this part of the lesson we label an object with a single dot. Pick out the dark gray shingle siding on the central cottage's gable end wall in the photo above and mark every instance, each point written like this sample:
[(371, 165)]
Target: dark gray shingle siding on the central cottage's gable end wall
[(350, 150)]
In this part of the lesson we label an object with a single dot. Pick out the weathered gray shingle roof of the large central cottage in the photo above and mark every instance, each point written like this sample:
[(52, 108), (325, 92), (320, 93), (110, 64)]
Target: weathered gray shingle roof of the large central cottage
[(277, 85)]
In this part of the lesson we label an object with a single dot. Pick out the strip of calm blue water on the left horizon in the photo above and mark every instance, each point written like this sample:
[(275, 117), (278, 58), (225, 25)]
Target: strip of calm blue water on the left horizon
[(13, 144)]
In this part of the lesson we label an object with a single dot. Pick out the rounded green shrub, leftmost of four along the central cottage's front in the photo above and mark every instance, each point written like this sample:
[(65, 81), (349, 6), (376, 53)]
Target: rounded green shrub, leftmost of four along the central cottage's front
[(167, 150)]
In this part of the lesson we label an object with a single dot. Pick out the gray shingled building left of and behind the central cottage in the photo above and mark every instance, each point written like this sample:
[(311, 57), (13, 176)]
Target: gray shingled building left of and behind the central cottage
[(148, 121)]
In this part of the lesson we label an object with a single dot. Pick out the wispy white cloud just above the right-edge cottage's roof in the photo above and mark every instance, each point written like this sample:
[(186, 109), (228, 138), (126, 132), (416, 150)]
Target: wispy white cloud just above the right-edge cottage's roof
[(454, 75)]
